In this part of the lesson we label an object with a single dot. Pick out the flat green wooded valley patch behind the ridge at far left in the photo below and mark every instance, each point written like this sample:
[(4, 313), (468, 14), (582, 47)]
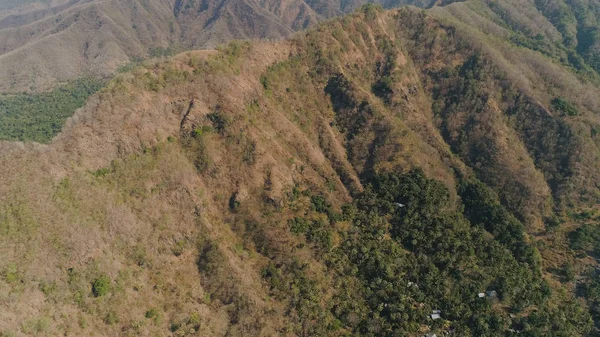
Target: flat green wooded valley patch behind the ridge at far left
[(39, 117)]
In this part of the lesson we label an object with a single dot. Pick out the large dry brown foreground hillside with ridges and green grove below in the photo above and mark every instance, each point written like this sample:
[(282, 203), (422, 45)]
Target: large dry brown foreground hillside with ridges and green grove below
[(381, 168)]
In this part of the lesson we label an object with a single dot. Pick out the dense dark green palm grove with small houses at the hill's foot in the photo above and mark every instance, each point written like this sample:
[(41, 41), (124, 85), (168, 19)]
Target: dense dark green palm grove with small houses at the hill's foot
[(410, 252)]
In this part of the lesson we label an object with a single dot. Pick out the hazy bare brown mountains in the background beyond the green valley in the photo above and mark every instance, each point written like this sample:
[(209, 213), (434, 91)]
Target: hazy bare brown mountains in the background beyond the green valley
[(47, 42)]
